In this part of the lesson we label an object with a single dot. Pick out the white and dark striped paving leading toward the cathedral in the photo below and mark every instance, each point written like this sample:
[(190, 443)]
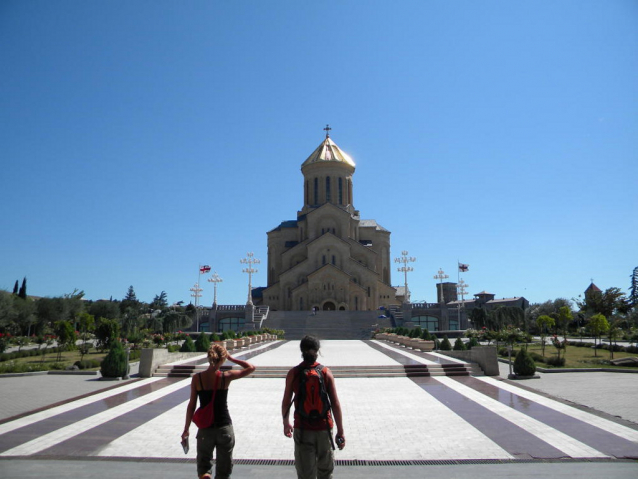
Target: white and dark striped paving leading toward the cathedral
[(423, 418)]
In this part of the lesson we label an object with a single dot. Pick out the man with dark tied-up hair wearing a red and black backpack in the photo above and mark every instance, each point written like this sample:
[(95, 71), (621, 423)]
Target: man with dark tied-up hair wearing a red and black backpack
[(315, 395)]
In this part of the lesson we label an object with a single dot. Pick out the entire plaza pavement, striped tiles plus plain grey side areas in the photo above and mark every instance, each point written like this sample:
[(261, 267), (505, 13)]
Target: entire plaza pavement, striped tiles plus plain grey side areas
[(415, 427)]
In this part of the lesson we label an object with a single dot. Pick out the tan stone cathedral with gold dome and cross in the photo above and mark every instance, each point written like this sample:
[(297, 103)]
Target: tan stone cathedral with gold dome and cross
[(328, 258)]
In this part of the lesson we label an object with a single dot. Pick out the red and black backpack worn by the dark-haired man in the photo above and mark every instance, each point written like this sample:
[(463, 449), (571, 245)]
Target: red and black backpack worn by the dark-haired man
[(313, 401)]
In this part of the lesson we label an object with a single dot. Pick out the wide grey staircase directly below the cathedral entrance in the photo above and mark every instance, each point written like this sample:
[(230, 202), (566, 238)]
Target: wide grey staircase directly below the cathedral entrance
[(327, 324)]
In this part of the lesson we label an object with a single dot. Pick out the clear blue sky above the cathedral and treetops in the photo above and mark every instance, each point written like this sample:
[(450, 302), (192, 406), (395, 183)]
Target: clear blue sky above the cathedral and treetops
[(141, 139)]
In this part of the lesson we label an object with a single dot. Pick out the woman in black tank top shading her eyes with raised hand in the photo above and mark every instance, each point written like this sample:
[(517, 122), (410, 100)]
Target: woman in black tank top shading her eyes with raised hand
[(212, 418)]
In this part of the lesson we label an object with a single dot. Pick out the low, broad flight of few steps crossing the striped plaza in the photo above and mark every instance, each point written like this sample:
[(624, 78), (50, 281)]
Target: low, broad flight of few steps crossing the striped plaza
[(412, 370)]
